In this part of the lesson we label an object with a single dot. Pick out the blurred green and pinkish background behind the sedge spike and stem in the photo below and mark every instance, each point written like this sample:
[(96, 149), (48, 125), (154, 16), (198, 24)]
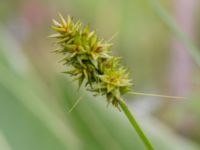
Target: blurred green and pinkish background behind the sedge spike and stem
[(159, 43)]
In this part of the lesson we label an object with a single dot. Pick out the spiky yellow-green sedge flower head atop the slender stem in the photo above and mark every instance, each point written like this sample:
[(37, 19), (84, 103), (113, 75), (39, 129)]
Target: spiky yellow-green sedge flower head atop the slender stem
[(89, 60)]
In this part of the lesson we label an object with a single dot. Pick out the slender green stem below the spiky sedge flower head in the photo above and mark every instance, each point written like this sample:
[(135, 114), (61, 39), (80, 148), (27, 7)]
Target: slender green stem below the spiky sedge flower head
[(136, 126)]
